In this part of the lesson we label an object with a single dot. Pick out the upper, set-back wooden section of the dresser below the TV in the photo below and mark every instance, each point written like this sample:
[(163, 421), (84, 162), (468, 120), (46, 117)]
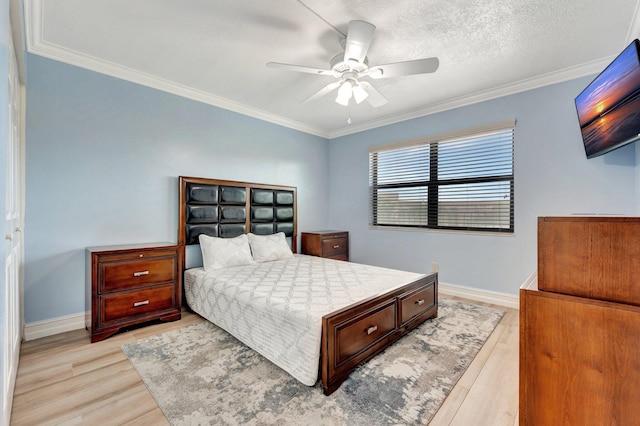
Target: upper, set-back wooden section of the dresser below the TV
[(593, 257)]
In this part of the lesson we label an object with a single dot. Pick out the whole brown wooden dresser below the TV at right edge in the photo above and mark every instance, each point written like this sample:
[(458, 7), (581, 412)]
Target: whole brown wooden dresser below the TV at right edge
[(580, 324)]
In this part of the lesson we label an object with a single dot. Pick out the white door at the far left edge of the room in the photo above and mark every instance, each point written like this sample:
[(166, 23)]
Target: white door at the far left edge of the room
[(13, 237)]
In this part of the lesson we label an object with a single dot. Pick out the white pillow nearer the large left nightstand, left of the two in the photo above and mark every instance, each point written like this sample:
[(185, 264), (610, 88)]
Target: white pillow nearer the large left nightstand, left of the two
[(218, 253)]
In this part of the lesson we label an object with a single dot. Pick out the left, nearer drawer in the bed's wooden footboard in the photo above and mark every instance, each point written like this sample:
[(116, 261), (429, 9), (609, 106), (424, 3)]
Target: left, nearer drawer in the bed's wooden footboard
[(359, 333)]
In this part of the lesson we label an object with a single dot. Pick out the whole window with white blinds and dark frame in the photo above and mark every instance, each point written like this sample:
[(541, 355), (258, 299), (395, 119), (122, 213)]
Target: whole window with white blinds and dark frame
[(459, 180)]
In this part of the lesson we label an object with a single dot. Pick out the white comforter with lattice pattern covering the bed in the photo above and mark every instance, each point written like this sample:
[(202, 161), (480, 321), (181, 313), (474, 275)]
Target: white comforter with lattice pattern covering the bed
[(276, 308)]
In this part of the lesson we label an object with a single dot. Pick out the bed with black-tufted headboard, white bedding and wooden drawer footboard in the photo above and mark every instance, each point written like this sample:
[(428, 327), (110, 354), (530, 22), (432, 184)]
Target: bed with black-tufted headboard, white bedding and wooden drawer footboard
[(313, 317)]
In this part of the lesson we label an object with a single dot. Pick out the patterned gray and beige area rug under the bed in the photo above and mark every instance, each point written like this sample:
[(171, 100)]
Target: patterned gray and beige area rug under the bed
[(200, 375)]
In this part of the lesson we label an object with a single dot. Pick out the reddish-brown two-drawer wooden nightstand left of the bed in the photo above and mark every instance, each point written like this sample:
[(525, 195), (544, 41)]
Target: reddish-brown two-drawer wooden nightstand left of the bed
[(131, 284)]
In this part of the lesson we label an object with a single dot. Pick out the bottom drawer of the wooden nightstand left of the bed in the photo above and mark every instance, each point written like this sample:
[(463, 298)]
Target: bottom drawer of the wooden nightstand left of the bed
[(128, 304)]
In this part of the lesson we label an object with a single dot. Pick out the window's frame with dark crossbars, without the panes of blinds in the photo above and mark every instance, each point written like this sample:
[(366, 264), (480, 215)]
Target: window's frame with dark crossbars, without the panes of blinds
[(433, 183)]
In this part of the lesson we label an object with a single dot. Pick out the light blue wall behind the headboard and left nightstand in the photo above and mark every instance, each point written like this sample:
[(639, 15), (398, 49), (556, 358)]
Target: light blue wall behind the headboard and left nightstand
[(103, 158)]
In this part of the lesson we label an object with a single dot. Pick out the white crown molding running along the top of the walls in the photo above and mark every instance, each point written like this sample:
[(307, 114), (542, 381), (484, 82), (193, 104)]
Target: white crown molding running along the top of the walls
[(38, 46)]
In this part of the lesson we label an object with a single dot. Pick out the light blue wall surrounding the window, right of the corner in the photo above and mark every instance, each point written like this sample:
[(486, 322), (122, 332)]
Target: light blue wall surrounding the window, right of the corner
[(552, 177)]
